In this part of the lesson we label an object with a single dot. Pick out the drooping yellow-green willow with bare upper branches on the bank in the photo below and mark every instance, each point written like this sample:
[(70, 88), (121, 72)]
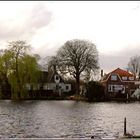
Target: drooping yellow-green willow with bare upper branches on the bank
[(17, 67)]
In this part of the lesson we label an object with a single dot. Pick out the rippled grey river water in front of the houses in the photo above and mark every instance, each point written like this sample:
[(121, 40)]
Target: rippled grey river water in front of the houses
[(66, 119)]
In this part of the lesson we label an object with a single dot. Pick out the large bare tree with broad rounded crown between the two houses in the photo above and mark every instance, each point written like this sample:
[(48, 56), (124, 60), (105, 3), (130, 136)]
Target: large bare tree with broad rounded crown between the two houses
[(77, 57)]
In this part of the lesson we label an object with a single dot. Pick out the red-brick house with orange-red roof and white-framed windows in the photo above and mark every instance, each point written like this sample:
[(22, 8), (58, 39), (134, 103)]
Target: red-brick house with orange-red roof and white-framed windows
[(118, 82)]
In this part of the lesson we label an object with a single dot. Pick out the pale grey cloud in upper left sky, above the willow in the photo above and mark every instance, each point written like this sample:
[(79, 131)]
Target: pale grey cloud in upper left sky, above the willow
[(36, 19)]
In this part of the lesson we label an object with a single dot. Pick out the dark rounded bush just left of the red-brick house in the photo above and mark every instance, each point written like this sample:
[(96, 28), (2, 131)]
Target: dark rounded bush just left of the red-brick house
[(94, 91)]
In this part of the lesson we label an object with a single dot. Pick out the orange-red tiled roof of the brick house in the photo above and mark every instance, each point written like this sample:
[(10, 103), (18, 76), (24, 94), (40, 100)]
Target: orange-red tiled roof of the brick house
[(121, 72)]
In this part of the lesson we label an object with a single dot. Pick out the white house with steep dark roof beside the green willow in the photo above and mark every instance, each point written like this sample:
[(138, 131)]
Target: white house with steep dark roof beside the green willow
[(49, 82)]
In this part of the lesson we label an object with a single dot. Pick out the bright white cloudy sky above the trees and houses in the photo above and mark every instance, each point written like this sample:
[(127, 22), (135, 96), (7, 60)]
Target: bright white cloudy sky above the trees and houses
[(114, 27)]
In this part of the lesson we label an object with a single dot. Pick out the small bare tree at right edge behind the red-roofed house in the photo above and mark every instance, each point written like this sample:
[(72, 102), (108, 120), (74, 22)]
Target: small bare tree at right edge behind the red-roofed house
[(134, 65)]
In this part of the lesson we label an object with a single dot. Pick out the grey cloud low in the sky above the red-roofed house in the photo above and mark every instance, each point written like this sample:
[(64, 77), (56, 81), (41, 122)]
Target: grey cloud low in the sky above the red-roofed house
[(120, 59)]
